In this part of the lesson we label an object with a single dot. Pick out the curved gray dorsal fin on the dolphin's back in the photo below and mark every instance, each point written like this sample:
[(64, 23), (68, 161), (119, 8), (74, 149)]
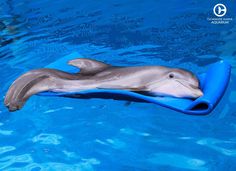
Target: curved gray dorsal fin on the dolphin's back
[(88, 66)]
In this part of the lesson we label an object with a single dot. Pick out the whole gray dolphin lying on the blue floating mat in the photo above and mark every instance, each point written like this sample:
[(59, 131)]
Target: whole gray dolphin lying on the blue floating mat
[(156, 80)]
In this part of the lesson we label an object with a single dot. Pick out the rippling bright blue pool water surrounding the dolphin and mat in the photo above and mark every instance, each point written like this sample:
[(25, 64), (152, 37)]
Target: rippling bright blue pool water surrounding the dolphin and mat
[(54, 133)]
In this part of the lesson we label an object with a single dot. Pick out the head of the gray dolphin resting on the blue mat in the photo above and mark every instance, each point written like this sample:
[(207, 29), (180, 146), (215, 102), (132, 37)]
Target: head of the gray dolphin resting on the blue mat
[(178, 83)]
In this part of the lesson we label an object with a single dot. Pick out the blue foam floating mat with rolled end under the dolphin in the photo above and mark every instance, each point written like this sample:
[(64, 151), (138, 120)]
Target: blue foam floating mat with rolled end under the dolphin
[(213, 84)]
